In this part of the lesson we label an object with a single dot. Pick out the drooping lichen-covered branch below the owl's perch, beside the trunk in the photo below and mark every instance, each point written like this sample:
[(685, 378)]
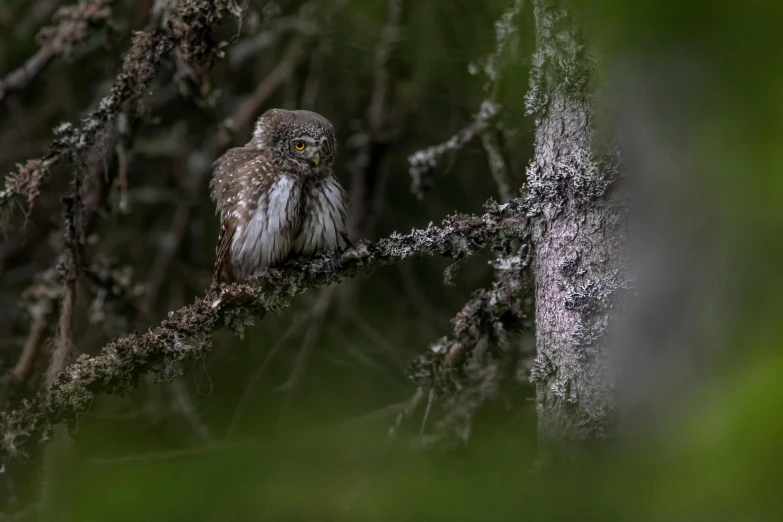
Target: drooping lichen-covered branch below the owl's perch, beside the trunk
[(469, 367)]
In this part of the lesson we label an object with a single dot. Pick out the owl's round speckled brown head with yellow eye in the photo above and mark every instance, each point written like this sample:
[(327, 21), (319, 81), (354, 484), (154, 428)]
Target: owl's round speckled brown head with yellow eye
[(301, 139)]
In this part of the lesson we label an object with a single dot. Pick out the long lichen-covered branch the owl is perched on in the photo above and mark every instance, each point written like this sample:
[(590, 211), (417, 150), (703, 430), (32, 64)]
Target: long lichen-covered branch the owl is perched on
[(186, 332)]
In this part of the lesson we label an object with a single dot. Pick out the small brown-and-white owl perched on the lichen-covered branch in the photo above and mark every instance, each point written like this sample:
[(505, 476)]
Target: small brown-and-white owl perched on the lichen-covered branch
[(277, 195)]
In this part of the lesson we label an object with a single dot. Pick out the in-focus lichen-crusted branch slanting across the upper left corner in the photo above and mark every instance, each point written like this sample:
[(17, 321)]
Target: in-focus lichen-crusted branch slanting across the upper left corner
[(189, 30)]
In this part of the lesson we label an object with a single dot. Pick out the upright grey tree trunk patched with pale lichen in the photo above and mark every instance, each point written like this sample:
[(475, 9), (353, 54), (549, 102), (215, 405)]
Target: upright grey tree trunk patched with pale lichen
[(577, 238)]
